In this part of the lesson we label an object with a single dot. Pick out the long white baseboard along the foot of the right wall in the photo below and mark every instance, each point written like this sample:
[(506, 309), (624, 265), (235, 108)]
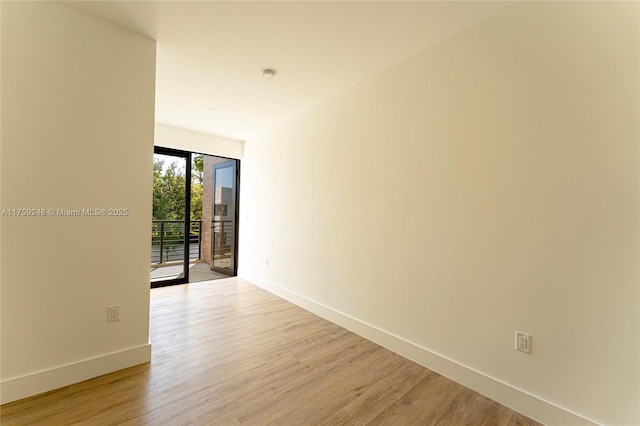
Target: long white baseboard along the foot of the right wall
[(518, 400)]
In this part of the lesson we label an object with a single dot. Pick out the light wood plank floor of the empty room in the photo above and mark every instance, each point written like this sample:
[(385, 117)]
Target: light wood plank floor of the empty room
[(228, 353)]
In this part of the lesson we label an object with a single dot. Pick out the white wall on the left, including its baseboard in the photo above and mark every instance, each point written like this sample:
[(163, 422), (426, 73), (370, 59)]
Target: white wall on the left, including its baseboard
[(77, 132)]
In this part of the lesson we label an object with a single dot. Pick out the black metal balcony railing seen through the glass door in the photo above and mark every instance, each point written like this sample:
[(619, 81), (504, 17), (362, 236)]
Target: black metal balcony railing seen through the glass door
[(168, 239)]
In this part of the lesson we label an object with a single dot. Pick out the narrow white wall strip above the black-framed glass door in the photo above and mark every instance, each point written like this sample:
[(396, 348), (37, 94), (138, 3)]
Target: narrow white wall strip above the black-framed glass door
[(186, 140)]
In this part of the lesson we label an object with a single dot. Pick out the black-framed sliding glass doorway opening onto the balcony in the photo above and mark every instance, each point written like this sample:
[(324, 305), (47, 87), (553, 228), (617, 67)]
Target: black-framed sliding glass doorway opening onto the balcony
[(189, 241)]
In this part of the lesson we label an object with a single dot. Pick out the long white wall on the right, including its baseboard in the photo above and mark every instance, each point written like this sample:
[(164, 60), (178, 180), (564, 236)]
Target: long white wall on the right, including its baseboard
[(488, 184)]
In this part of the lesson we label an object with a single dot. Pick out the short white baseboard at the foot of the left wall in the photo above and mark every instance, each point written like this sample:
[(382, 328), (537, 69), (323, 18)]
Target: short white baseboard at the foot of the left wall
[(53, 378)]
